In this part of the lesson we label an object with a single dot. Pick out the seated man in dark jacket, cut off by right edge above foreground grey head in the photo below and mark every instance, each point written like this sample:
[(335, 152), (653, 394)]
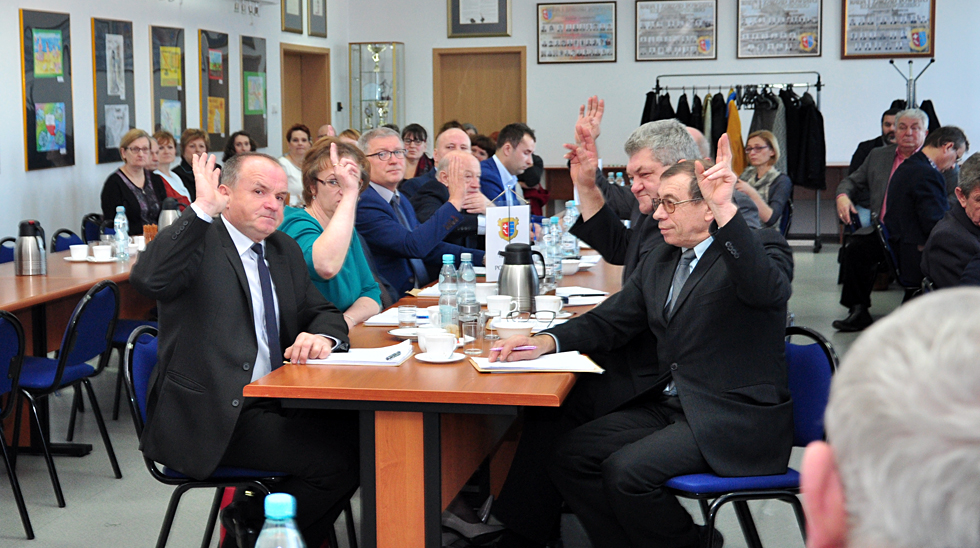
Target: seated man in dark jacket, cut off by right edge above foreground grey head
[(955, 241)]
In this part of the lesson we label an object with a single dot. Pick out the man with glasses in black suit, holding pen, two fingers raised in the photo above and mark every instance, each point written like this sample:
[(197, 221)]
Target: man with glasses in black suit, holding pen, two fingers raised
[(715, 299)]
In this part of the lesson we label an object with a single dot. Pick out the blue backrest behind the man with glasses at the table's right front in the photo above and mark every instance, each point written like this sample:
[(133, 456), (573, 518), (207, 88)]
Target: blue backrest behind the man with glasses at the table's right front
[(809, 368)]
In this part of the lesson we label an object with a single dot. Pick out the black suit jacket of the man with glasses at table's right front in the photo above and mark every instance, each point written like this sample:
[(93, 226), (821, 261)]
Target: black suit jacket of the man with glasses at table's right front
[(723, 346)]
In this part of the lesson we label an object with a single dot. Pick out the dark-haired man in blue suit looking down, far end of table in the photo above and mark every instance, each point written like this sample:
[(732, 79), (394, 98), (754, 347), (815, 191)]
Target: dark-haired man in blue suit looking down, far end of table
[(515, 148)]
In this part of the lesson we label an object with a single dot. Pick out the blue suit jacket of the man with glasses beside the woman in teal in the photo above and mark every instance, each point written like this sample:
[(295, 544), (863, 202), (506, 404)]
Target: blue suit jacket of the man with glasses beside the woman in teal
[(392, 244)]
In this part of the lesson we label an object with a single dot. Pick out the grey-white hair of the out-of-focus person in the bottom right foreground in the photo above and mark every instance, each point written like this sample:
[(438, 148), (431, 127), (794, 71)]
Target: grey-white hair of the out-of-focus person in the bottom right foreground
[(904, 422)]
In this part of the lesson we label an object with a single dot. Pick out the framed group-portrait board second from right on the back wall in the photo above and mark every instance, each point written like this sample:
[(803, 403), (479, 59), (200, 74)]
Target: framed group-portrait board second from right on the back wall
[(779, 28)]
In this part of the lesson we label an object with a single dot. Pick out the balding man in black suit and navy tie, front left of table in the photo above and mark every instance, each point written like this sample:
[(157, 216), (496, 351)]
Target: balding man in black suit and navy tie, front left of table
[(235, 300)]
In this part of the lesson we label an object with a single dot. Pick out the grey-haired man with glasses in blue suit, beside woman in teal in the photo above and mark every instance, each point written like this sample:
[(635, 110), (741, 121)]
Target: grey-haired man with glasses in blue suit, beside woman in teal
[(406, 253)]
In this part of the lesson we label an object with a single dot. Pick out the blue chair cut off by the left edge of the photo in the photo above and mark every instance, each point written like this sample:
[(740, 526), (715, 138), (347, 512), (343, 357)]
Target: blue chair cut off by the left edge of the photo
[(11, 357)]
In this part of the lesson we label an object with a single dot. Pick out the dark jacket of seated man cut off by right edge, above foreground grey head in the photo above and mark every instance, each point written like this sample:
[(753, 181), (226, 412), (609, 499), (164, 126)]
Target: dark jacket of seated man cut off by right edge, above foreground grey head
[(952, 244)]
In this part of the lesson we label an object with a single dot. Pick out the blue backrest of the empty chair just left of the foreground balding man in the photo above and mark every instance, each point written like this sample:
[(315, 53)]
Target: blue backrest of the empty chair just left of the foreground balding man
[(89, 331)]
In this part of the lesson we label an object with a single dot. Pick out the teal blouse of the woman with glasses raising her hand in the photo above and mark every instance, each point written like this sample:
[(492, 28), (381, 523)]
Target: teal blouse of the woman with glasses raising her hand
[(354, 279)]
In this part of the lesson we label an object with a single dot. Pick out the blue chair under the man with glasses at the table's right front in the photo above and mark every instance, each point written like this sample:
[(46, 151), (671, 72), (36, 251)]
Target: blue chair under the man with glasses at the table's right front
[(809, 367)]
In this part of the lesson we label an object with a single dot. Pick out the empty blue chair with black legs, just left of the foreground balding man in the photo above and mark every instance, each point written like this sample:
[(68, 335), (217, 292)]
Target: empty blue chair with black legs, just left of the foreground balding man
[(87, 337)]
